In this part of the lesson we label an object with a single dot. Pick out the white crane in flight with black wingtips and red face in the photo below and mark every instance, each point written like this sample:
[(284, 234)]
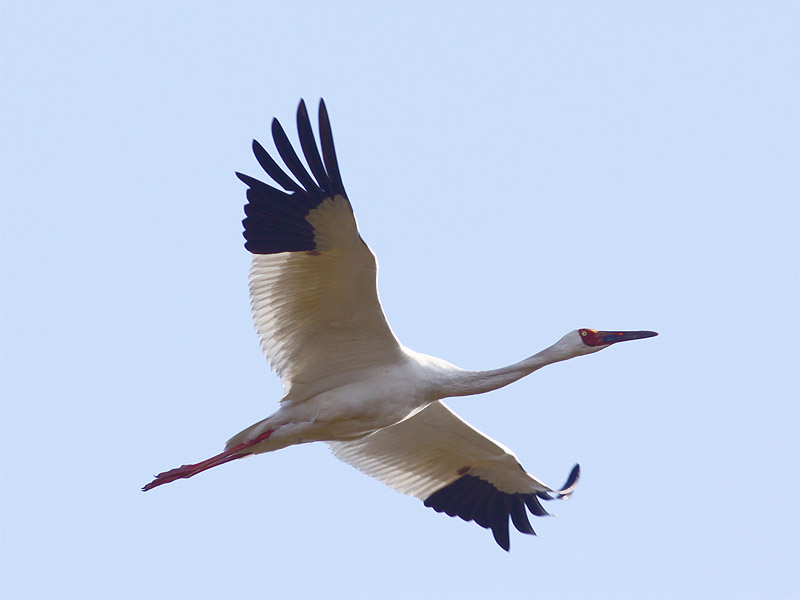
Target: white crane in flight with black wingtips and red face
[(348, 379)]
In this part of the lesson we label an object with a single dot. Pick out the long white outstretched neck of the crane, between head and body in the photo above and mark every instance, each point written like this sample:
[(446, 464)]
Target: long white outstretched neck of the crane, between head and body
[(466, 383)]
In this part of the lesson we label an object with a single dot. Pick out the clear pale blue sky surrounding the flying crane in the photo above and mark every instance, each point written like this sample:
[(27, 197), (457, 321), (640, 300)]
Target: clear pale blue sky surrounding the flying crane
[(520, 170)]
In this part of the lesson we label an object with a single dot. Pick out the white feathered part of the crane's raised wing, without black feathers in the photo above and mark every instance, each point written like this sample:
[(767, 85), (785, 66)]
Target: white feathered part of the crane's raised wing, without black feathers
[(317, 313)]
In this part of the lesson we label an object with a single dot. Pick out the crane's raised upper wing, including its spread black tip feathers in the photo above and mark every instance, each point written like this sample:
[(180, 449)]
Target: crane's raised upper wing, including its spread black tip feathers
[(313, 281)]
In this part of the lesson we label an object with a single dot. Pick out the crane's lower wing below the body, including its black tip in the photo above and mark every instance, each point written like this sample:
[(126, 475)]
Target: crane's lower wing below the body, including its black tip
[(441, 459)]
